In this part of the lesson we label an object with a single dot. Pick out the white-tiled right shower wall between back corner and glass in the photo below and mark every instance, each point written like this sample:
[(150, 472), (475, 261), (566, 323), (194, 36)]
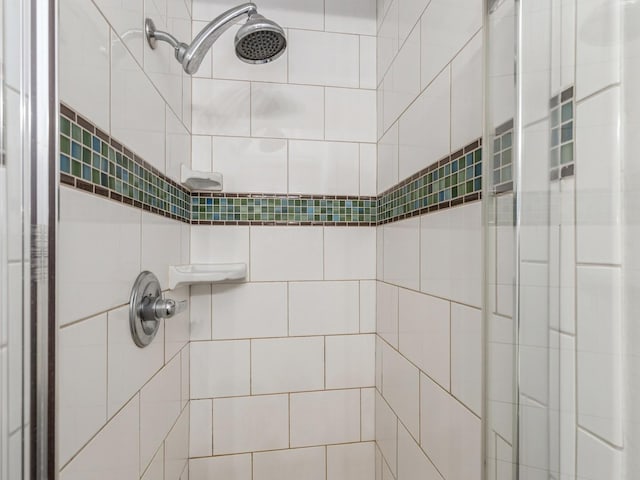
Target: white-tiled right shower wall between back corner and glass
[(428, 342)]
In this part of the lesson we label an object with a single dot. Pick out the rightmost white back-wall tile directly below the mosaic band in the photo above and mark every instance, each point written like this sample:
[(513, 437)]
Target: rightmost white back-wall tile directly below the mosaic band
[(349, 253)]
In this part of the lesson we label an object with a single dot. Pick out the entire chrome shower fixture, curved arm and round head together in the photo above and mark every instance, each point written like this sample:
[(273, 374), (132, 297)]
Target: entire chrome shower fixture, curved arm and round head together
[(259, 40)]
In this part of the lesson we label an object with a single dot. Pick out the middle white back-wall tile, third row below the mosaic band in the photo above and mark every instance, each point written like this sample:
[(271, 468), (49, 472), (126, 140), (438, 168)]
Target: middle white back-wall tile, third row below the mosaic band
[(287, 365)]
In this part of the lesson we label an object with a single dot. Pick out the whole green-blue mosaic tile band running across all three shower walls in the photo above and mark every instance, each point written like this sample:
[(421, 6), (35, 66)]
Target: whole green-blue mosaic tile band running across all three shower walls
[(92, 161)]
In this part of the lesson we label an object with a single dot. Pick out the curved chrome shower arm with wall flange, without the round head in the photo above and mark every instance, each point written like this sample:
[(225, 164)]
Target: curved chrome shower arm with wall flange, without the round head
[(191, 56)]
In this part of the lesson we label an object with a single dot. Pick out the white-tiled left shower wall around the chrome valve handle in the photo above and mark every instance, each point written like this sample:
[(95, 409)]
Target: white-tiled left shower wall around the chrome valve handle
[(123, 411)]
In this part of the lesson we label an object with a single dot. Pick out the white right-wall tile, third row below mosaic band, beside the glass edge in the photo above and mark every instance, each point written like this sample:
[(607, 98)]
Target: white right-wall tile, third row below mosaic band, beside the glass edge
[(450, 434)]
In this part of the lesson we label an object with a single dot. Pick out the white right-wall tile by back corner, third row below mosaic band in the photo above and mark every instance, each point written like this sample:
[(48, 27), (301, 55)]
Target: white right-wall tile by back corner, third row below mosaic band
[(401, 388)]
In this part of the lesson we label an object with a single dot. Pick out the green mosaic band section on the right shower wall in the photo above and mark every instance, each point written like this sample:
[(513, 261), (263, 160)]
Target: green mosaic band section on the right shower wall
[(454, 180)]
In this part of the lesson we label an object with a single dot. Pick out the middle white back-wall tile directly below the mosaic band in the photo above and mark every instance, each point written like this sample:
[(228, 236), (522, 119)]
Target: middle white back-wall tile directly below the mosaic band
[(286, 253)]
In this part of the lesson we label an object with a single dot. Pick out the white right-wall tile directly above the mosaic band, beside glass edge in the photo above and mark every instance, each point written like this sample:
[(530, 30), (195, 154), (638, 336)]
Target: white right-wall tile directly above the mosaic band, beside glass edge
[(466, 94)]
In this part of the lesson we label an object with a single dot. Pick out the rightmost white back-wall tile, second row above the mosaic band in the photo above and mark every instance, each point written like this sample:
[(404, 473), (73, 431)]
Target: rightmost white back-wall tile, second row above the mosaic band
[(350, 115)]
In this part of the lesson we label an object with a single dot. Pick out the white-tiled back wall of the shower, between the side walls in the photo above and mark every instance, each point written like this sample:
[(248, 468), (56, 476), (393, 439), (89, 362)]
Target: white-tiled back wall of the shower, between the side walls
[(282, 366)]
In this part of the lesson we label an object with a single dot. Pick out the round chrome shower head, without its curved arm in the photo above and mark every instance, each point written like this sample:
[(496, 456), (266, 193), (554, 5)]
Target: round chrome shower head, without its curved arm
[(260, 40)]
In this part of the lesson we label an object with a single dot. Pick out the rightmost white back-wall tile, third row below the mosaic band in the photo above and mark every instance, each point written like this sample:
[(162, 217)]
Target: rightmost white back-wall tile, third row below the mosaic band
[(350, 361)]
